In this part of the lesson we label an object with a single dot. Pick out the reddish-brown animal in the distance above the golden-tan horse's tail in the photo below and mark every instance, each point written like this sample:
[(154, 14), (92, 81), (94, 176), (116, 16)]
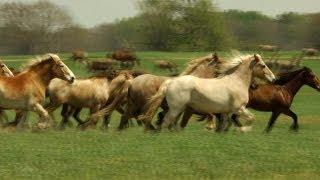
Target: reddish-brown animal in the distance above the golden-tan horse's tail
[(124, 56)]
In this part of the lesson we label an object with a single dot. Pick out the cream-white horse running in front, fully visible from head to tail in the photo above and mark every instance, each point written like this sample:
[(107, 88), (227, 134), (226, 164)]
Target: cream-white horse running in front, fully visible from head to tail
[(225, 95)]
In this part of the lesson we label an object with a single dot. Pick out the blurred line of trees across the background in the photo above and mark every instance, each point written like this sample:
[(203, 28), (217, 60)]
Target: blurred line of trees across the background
[(171, 25)]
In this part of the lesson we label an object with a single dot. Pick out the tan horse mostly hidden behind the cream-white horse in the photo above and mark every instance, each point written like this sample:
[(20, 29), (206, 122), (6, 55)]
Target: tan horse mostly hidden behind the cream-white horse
[(145, 86)]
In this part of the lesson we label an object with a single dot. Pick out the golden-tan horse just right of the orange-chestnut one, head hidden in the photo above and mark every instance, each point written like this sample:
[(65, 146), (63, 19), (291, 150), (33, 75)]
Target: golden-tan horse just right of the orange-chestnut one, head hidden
[(92, 93)]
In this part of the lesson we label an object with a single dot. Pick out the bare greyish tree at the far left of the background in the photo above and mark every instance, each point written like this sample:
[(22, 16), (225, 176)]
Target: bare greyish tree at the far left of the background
[(30, 28)]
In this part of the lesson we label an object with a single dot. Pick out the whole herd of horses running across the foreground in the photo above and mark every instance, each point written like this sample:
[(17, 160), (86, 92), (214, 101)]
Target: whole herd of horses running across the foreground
[(215, 89)]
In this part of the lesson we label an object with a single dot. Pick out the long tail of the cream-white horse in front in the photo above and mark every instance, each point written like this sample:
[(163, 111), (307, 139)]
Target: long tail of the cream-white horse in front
[(154, 102)]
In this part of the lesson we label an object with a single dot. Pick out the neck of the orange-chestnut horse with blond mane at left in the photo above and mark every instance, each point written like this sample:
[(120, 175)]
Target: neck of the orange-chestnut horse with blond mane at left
[(42, 74)]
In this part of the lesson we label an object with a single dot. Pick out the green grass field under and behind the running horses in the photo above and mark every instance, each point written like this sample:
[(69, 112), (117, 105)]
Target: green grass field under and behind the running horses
[(194, 153)]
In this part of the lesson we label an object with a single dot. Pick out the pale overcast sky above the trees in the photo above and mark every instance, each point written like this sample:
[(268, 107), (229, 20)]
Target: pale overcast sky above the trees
[(92, 12)]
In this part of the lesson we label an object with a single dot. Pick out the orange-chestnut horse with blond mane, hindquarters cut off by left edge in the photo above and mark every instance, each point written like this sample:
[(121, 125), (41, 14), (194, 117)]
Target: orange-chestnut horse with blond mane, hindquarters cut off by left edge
[(26, 91)]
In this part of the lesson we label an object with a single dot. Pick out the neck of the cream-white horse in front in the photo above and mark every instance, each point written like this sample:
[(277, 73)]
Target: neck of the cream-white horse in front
[(244, 73)]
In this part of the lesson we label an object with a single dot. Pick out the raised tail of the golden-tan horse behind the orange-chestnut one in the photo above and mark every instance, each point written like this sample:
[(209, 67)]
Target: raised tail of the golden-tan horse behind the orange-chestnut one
[(116, 97)]
